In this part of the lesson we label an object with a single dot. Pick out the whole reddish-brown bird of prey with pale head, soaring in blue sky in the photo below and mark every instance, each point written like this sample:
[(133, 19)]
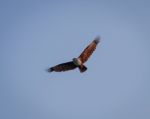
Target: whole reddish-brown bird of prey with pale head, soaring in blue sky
[(77, 62)]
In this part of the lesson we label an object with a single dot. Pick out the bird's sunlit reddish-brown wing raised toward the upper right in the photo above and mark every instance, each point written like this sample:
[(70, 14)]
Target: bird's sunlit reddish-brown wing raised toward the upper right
[(89, 50)]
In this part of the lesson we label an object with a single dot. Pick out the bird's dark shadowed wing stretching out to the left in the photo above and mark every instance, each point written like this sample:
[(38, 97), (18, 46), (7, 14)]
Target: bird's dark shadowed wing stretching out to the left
[(63, 67)]
